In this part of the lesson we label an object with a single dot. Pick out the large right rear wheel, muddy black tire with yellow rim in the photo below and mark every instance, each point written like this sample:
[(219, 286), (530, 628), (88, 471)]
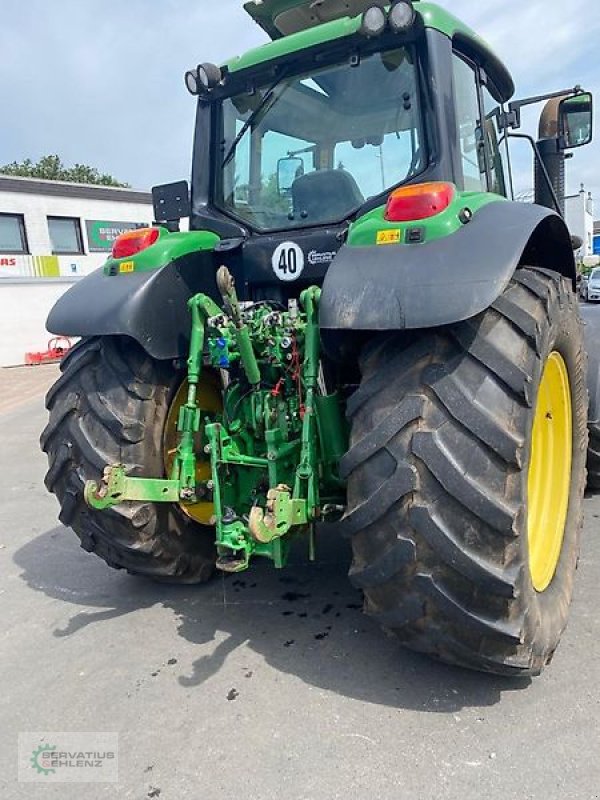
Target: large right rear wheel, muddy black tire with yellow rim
[(448, 549)]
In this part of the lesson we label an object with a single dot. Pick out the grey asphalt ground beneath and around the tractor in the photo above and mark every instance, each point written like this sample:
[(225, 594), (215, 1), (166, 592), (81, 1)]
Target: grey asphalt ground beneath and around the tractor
[(269, 684)]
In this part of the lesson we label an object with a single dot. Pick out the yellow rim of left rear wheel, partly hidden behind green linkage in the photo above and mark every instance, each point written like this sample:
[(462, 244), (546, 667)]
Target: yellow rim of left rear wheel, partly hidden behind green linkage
[(209, 401)]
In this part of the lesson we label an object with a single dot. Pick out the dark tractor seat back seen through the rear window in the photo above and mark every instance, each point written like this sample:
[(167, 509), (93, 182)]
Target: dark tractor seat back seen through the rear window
[(326, 195)]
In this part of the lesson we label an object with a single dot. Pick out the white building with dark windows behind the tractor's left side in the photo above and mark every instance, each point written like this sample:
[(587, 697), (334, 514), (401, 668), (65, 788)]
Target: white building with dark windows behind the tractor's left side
[(51, 235)]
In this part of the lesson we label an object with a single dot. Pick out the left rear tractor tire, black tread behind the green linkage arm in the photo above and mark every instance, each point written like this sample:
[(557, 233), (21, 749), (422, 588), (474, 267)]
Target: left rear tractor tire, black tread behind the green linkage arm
[(110, 406)]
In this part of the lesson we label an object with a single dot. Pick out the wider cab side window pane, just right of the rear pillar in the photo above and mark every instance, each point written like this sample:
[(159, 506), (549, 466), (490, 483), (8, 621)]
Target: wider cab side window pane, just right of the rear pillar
[(470, 129)]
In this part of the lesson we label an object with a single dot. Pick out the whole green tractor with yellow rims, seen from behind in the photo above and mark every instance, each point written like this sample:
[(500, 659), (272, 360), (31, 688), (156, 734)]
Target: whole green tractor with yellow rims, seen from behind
[(361, 334)]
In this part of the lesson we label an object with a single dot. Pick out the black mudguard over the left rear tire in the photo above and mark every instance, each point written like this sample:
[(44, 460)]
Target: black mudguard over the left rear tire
[(150, 306)]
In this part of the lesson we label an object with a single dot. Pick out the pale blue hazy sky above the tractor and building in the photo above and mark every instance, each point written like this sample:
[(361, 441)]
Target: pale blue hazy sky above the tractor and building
[(101, 82)]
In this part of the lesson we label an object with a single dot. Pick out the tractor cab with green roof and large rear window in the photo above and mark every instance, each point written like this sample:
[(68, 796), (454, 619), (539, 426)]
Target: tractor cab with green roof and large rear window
[(300, 138)]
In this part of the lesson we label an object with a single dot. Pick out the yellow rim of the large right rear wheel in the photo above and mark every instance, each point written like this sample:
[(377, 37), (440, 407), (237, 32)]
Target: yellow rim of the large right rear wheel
[(549, 472)]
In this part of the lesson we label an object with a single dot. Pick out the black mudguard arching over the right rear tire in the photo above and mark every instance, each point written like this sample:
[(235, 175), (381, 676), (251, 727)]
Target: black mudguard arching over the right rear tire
[(403, 287)]
